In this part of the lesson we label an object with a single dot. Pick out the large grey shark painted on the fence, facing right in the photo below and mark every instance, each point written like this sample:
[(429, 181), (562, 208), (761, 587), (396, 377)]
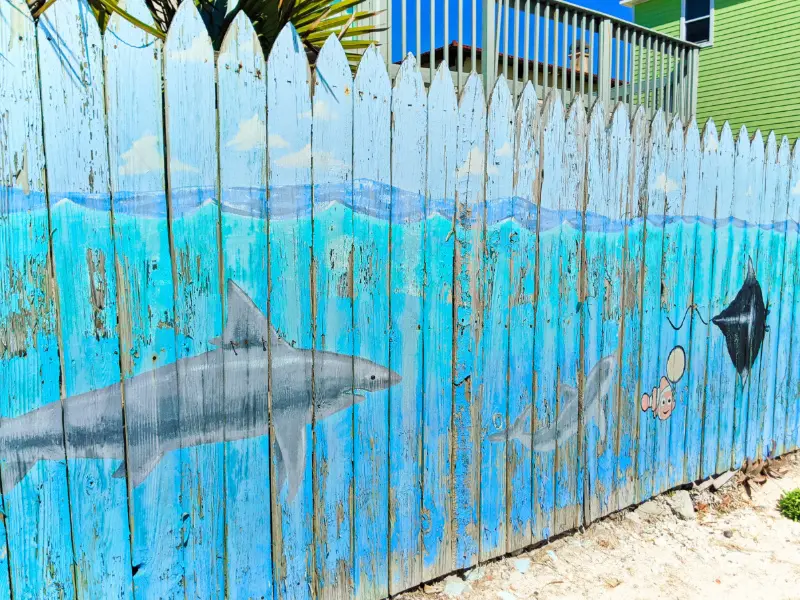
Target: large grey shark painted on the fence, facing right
[(159, 420)]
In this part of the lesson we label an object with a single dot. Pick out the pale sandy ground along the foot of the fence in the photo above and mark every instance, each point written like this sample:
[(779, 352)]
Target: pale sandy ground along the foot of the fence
[(735, 548)]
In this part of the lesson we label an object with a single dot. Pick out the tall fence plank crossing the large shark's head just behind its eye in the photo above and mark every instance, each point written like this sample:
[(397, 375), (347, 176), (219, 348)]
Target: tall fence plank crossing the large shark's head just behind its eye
[(332, 271)]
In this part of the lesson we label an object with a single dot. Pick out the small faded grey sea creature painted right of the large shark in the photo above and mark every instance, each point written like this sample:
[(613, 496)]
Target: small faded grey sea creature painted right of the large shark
[(598, 384)]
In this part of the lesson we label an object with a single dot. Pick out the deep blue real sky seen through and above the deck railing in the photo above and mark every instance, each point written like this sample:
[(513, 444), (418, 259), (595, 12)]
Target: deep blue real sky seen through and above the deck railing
[(611, 7)]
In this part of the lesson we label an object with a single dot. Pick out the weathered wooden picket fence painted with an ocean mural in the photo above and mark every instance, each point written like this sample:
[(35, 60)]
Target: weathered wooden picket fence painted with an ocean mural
[(264, 332)]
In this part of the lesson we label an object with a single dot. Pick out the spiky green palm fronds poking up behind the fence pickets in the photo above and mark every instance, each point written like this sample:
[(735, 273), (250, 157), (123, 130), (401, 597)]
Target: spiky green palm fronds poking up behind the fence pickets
[(315, 20)]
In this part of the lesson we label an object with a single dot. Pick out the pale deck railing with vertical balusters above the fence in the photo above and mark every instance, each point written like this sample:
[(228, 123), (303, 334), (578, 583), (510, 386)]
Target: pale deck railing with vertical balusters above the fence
[(554, 44)]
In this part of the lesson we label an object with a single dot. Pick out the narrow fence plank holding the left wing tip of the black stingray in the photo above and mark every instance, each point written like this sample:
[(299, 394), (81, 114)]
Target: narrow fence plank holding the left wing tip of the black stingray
[(718, 405)]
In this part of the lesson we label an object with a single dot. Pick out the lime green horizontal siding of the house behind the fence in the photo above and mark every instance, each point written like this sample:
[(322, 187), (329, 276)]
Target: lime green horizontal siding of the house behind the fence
[(751, 74)]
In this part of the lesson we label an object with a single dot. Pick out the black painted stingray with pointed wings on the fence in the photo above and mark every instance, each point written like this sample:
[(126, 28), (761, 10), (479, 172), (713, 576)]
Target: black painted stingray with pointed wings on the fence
[(743, 323)]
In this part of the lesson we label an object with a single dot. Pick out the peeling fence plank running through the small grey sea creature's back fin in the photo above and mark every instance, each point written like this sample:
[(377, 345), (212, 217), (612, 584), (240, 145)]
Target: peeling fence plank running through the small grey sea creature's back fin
[(570, 402)]
